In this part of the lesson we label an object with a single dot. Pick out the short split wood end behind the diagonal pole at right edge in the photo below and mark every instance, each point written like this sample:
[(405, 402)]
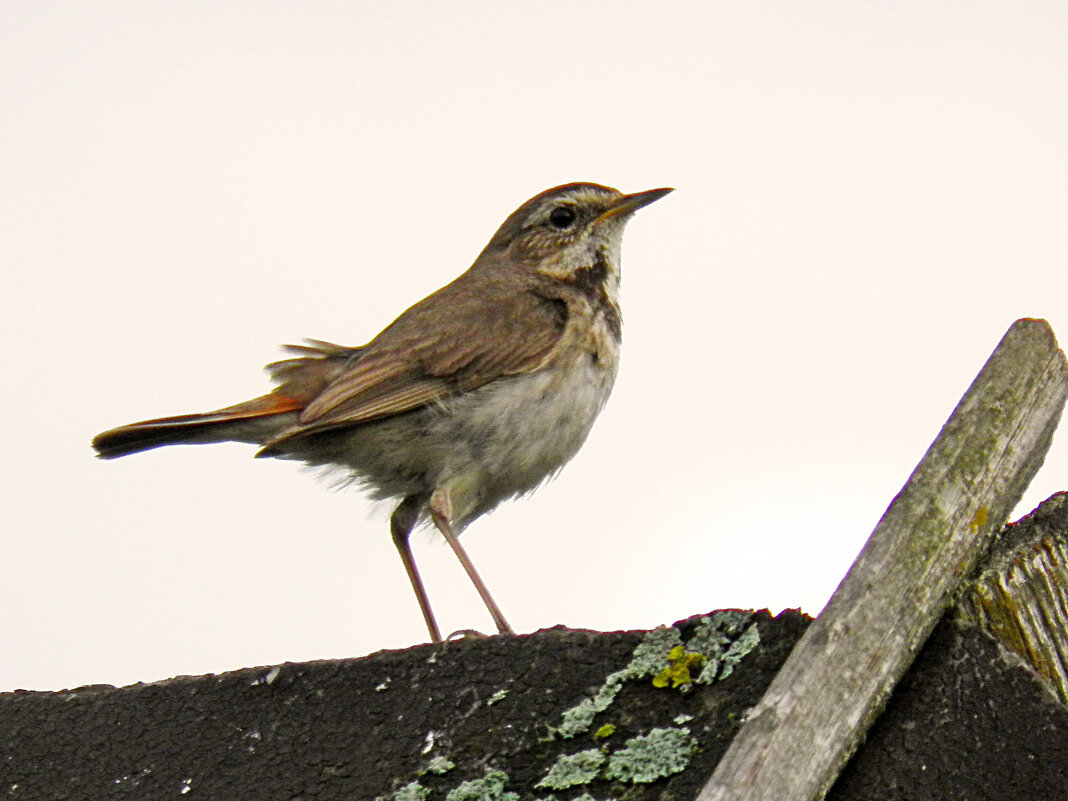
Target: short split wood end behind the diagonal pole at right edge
[(1022, 595)]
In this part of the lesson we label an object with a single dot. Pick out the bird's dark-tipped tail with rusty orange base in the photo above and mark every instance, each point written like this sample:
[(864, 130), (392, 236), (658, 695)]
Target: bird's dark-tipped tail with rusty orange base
[(253, 421)]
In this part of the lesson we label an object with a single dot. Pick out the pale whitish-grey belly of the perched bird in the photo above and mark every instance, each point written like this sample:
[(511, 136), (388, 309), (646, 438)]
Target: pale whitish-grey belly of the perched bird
[(484, 447)]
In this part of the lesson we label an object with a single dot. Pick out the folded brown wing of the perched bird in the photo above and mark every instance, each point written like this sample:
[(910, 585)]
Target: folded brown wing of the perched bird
[(420, 360)]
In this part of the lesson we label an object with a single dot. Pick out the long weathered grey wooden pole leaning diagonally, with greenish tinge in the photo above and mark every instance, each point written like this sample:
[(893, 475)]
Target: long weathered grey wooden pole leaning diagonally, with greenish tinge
[(840, 676)]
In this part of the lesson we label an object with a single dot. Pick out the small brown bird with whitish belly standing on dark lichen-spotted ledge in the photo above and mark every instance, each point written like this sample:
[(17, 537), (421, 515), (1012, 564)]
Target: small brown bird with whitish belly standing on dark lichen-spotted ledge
[(477, 395)]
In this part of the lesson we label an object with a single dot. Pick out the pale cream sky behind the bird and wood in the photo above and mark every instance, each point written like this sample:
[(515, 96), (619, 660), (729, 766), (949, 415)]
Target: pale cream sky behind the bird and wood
[(869, 195)]
